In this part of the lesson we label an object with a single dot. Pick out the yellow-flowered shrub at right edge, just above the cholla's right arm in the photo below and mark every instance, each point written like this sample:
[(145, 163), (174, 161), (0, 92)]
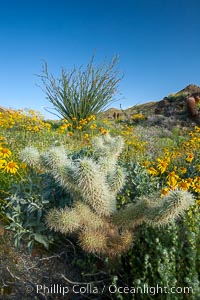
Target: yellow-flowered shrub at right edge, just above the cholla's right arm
[(179, 168)]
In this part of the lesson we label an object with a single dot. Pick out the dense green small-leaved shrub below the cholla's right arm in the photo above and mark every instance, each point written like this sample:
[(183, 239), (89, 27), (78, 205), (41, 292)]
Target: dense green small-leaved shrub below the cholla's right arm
[(165, 257)]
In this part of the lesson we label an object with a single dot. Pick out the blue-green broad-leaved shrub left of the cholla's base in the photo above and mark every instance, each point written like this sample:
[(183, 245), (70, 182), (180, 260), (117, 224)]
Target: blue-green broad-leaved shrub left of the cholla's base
[(26, 208)]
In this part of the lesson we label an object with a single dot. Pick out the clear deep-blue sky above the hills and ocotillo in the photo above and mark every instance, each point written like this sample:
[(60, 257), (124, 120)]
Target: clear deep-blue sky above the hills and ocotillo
[(158, 43)]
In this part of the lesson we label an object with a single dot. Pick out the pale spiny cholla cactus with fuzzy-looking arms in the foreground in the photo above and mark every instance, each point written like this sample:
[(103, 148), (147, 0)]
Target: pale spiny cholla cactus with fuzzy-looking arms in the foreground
[(94, 184)]
